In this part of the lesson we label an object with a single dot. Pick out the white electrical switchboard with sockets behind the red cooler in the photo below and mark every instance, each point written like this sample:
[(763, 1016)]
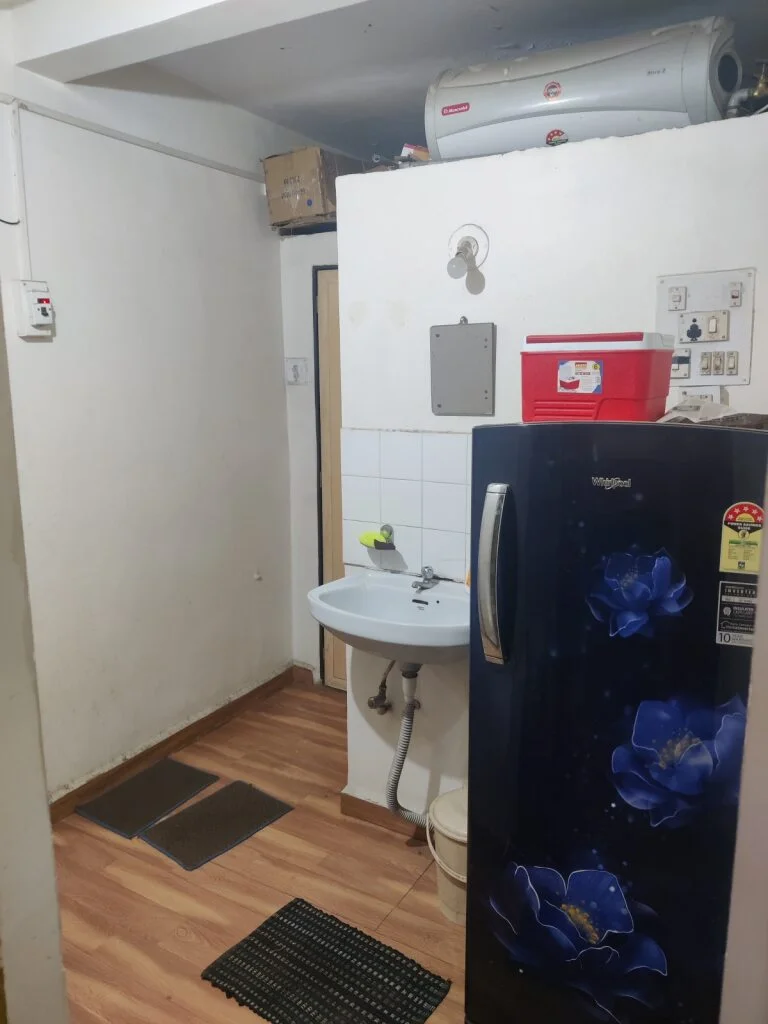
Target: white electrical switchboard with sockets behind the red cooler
[(711, 317)]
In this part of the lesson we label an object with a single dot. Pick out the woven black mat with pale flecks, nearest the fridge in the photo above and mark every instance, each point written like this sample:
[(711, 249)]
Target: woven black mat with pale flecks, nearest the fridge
[(304, 966)]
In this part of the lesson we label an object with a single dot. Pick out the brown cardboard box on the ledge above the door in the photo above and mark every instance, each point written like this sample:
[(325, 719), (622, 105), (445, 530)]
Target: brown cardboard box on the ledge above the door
[(302, 186)]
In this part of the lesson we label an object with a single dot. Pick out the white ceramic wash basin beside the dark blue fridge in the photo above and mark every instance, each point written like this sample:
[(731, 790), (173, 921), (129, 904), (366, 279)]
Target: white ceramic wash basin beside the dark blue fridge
[(381, 613)]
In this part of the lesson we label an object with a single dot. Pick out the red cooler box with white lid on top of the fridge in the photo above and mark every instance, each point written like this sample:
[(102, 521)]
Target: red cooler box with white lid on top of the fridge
[(596, 376)]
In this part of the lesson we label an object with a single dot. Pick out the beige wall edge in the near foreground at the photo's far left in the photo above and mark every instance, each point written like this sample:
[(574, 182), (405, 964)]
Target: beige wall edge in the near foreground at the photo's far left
[(29, 914)]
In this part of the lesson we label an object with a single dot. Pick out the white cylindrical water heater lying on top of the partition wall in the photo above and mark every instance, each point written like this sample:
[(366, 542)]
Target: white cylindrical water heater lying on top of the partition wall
[(668, 78)]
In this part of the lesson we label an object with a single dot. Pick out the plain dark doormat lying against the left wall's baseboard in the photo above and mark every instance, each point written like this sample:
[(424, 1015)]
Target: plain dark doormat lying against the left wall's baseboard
[(140, 802)]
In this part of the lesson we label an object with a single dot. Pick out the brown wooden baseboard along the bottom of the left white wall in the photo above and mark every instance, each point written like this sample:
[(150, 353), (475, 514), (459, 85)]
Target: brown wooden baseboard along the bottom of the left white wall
[(66, 805)]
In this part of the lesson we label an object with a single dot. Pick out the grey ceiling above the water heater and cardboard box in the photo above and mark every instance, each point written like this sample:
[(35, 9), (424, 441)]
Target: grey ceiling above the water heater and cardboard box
[(357, 78)]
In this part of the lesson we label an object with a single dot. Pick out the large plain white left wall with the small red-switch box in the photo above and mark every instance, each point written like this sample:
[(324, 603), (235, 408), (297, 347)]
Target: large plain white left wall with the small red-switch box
[(152, 445)]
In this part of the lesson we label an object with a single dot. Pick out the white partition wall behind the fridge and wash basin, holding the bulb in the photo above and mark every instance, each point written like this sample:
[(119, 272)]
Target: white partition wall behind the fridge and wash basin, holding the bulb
[(579, 236)]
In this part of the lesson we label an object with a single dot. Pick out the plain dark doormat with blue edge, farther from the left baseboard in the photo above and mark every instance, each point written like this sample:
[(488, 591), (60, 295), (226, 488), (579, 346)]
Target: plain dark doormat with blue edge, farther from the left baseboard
[(214, 826)]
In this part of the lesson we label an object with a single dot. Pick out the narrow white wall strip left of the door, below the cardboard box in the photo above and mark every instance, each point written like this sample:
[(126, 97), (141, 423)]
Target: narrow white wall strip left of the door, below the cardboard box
[(300, 255)]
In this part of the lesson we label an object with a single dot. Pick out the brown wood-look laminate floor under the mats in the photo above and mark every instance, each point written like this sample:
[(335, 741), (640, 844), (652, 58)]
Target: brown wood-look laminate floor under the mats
[(139, 929)]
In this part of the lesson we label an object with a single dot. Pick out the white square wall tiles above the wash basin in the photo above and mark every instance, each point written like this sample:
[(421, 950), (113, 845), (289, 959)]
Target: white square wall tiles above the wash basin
[(418, 484)]
